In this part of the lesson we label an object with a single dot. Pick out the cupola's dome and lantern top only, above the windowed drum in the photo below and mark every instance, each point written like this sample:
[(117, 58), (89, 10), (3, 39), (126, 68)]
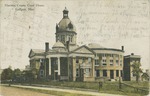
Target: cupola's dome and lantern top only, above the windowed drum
[(65, 24)]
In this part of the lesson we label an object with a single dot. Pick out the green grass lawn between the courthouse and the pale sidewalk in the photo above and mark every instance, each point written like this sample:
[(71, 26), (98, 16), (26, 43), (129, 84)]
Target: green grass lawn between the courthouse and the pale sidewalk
[(108, 87)]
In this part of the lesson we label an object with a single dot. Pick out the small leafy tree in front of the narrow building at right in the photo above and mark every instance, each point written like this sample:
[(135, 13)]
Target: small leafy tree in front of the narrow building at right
[(136, 70)]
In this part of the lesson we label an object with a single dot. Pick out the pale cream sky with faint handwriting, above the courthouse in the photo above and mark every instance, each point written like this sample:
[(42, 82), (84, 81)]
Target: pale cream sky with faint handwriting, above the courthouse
[(28, 24)]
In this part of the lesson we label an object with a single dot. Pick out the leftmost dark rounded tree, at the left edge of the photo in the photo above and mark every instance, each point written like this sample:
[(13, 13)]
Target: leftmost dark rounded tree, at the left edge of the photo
[(7, 74)]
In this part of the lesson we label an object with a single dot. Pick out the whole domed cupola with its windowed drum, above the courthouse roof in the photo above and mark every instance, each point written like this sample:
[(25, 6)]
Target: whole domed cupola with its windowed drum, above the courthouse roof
[(65, 30)]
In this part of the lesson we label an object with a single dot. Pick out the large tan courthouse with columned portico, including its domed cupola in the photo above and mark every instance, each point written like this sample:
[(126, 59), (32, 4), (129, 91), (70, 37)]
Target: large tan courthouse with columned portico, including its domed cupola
[(68, 61)]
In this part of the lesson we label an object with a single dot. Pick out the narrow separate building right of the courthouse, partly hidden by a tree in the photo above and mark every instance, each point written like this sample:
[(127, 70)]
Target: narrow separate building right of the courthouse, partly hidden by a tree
[(128, 61)]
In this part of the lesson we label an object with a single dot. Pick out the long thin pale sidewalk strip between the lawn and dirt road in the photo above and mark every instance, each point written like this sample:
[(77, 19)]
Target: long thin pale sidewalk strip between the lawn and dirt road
[(68, 90)]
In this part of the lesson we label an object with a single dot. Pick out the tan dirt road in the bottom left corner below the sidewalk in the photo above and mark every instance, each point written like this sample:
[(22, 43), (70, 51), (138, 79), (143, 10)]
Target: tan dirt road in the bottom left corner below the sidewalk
[(11, 91)]
